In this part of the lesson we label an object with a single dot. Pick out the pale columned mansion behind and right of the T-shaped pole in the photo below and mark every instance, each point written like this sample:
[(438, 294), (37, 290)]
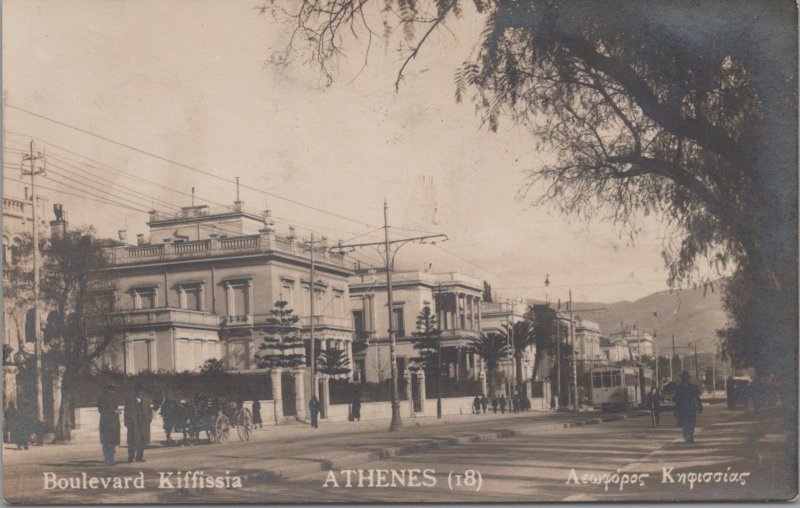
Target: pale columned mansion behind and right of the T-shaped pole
[(458, 312)]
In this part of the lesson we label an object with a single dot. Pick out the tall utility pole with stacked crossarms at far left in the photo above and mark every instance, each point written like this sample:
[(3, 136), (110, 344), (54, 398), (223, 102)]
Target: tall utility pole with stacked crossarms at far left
[(33, 157)]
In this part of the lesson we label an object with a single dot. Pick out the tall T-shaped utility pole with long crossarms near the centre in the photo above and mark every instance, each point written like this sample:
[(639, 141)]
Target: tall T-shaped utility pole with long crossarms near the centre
[(389, 260)]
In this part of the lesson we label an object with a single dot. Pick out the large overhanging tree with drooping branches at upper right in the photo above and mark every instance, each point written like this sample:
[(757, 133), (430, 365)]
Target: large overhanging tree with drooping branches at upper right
[(646, 114)]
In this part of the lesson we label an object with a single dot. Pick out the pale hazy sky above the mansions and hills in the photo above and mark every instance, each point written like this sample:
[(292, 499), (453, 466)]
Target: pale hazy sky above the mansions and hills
[(190, 82)]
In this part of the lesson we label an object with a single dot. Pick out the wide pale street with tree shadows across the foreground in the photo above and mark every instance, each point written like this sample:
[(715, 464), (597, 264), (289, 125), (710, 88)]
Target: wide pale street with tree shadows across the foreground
[(512, 458)]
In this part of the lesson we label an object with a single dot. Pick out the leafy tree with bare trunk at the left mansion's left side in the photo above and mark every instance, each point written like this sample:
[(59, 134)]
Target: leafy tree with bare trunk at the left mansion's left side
[(80, 292)]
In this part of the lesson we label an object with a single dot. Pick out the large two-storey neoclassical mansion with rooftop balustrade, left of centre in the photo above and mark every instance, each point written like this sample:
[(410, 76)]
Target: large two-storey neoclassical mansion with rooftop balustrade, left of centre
[(203, 284)]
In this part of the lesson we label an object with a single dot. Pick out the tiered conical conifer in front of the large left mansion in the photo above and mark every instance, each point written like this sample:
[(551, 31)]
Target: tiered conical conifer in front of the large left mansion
[(279, 348)]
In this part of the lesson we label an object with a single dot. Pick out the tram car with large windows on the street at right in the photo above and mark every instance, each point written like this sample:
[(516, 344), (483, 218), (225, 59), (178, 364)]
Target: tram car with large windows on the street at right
[(619, 388)]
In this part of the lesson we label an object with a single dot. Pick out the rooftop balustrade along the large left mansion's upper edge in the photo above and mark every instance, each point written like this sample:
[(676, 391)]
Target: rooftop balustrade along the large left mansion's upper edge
[(214, 247)]
